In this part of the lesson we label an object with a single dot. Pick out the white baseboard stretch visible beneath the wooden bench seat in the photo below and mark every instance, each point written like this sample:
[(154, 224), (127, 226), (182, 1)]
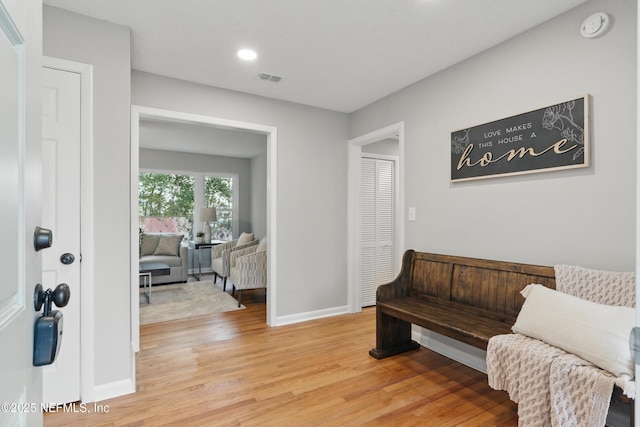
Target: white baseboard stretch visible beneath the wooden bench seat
[(460, 352)]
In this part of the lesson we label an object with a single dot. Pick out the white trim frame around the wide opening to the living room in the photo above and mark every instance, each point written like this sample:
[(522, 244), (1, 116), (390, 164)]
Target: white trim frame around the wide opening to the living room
[(139, 113)]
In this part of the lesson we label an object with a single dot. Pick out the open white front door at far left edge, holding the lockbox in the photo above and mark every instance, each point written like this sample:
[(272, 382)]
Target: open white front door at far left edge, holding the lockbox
[(20, 52)]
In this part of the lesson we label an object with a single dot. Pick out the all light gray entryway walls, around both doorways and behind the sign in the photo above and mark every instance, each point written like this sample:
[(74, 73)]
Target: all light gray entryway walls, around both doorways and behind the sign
[(582, 217)]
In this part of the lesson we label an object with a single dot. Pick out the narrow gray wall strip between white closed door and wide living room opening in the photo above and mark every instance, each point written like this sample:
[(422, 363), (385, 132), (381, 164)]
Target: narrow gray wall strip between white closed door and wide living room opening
[(107, 48)]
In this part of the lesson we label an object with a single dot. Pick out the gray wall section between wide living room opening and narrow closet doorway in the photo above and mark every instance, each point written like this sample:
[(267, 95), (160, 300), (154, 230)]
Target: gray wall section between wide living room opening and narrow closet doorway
[(312, 171)]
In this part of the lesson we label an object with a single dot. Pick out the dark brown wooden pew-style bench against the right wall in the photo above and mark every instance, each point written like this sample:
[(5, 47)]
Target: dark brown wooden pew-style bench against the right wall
[(467, 299)]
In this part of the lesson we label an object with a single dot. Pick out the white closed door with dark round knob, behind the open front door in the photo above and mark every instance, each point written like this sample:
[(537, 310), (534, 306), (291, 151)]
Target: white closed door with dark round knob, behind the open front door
[(61, 213)]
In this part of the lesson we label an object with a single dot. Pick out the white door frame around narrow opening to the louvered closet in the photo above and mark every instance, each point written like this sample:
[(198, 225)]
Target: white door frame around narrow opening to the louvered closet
[(356, 150)]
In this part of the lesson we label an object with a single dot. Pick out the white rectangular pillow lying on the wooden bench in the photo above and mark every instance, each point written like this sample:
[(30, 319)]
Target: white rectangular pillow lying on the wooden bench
[(596, 332)]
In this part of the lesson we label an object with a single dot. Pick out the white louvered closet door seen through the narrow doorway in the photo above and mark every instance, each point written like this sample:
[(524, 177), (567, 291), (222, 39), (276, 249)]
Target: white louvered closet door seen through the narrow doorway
[(376, 226)]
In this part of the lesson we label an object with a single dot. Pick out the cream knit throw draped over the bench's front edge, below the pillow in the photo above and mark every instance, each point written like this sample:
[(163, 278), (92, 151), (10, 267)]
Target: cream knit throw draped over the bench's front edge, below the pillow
[(551, 387)]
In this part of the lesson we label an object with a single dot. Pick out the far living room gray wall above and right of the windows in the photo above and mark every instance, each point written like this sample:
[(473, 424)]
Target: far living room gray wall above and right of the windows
[(190, 162)]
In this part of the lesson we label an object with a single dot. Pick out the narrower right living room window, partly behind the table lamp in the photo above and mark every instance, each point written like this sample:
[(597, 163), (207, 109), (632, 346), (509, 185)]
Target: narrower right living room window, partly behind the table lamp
[(218, 192)]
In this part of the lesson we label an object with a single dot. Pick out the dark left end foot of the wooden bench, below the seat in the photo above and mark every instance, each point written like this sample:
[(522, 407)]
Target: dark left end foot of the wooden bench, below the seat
[(393, 336)]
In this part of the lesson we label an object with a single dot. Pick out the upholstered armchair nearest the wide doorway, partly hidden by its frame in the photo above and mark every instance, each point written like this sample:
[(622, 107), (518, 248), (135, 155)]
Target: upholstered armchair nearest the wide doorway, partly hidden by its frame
[(248, 268)]
